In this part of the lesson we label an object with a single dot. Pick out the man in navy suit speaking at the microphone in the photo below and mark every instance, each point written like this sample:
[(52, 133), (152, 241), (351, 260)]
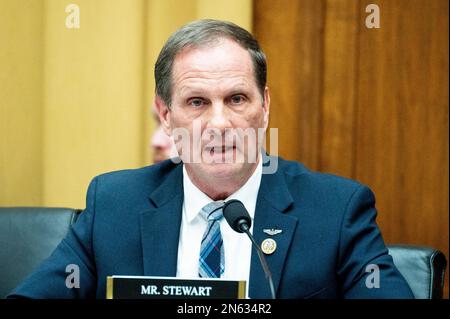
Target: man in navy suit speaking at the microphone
[(157, 221)]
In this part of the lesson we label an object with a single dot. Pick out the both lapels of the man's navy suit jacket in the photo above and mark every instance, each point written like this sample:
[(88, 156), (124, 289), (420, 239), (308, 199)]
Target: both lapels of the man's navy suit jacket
[(160, 228)]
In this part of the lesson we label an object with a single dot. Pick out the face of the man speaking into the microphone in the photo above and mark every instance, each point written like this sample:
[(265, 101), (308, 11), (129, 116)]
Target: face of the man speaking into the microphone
[(214, 91)]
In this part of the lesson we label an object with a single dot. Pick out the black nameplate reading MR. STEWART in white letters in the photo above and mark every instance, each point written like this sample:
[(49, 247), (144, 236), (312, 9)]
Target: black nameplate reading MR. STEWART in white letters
[(142, 287)]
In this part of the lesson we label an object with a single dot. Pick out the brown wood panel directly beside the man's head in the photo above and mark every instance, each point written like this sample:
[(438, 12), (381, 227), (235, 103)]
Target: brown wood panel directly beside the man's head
[(294, 72)]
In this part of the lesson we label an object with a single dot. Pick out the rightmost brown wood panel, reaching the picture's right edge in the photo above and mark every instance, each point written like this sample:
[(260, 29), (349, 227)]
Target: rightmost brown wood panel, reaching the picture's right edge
[(402, 130)]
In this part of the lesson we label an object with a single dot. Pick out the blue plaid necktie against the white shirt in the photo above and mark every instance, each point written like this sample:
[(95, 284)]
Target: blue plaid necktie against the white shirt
[(212, 260)]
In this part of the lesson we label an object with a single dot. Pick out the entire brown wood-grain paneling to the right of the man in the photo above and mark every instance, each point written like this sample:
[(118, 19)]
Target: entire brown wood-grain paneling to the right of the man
[(370, 104)]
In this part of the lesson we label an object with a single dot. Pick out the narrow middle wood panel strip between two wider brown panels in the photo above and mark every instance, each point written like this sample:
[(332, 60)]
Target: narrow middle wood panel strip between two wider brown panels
[(340, 87)]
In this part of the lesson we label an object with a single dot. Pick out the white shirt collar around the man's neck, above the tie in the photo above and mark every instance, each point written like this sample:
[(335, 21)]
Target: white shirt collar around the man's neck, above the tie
[(195, 199)]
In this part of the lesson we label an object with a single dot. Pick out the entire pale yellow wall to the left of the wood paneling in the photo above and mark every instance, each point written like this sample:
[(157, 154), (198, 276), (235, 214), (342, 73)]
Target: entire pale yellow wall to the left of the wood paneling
[(77, 102)]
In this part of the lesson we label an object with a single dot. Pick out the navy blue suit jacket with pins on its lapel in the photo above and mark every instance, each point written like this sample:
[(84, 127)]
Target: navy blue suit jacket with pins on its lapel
[(131, 227)]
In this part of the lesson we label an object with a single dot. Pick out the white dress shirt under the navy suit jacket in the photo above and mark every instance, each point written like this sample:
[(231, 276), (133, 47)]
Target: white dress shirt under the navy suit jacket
[(237, 246)]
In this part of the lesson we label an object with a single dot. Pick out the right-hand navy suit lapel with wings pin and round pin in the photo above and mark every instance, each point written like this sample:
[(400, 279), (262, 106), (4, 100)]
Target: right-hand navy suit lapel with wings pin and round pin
[(274, 199)]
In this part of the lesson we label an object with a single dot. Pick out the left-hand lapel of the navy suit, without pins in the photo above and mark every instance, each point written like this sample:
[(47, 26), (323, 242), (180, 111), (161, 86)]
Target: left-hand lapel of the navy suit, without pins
[(160, 226)]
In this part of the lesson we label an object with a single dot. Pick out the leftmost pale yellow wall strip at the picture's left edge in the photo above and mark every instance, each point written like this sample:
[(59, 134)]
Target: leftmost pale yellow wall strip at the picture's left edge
[(21, 72)]
